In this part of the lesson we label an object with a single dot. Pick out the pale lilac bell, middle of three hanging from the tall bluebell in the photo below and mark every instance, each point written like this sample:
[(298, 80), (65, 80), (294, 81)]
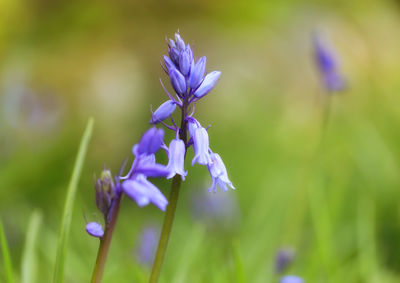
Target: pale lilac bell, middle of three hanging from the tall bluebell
[(201, 146)]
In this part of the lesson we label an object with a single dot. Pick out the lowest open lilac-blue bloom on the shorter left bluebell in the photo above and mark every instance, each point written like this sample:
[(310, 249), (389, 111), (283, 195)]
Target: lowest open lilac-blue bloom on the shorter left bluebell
[(143, 192)]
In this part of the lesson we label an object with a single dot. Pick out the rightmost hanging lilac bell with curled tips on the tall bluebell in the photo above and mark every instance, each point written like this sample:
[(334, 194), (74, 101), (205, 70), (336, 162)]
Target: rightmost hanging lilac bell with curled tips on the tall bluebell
[(218, 174)]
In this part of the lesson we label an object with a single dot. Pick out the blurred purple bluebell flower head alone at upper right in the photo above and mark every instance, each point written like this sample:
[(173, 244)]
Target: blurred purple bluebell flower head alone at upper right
[(327, 64)]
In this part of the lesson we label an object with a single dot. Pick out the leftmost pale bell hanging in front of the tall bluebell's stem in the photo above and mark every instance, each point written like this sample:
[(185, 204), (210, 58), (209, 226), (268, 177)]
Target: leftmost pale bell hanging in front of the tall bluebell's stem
[(176, 156)]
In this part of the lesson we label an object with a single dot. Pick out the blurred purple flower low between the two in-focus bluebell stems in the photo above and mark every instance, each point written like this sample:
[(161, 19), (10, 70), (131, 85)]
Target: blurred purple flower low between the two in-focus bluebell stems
[(147, 245)]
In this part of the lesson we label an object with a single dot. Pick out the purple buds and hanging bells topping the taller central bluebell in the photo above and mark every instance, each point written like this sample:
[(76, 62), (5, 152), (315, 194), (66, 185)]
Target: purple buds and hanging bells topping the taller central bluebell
[(190, 84)]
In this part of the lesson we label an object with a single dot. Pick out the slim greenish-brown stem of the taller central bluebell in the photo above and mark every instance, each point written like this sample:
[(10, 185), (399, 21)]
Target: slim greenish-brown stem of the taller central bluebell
[(171, 208)]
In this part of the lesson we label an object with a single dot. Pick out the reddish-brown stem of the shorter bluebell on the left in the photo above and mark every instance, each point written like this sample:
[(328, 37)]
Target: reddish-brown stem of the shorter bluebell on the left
[(105, 242)]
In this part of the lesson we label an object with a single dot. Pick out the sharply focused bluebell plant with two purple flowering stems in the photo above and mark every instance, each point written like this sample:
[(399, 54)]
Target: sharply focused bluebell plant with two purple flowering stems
[(190, 83)]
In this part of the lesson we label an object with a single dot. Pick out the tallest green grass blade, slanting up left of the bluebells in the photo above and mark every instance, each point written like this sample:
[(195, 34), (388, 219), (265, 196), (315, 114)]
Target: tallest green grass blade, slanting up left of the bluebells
[(69, 202)]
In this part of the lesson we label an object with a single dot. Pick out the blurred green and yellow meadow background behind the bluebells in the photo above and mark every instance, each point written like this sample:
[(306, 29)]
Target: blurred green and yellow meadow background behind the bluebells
[(334, 203)]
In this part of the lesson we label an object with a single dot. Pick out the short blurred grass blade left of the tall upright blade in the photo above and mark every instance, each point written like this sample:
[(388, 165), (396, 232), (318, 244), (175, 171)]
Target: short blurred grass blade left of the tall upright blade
[(28, 258)]
